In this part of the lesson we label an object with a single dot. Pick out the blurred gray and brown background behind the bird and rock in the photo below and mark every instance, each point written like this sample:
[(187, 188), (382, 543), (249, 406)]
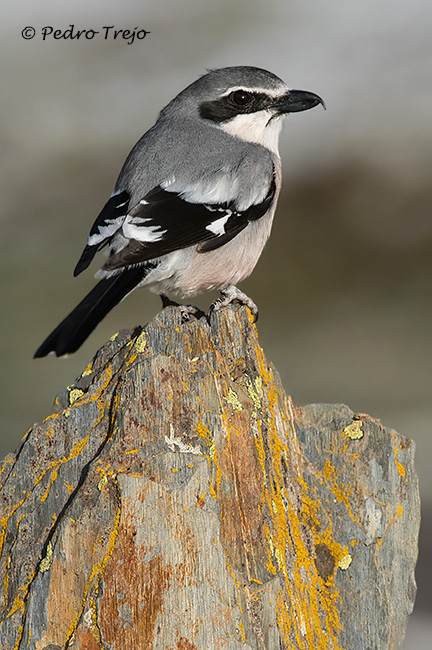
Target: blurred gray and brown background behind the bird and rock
[(344, 284)]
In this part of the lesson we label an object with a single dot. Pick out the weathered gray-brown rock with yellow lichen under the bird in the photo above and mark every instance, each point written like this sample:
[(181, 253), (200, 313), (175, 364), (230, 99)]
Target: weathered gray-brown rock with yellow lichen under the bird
[(179, 501)]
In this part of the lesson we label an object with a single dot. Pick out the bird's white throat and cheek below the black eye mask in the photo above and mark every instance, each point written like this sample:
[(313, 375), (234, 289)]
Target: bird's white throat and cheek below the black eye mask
[(261, 128)]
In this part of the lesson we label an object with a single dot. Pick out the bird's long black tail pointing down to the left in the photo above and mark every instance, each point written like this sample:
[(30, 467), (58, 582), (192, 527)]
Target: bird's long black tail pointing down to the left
[(75, 328)]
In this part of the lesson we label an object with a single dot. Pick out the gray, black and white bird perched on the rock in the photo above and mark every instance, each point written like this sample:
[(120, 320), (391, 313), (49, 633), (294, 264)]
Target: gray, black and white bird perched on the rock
[(194, 202)]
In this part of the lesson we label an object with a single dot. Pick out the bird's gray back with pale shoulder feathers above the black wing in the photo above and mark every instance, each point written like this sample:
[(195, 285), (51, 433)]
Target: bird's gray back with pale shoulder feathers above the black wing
[(192, 152)]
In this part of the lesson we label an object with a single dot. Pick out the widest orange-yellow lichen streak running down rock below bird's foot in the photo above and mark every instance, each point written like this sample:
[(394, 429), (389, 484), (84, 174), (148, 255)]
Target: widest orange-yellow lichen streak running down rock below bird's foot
[(305, 611)]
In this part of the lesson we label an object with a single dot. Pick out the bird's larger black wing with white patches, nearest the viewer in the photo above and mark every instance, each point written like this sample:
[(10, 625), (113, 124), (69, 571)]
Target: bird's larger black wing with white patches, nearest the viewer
[(164, 222)]
